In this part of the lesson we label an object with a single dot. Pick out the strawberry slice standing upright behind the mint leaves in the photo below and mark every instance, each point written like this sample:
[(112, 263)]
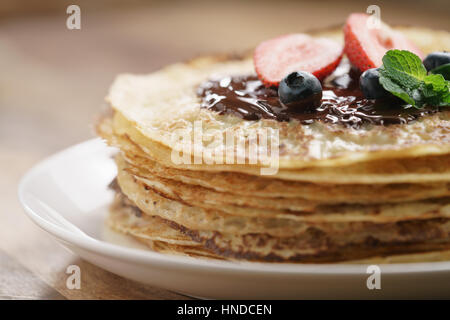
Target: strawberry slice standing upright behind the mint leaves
[(365, 46)]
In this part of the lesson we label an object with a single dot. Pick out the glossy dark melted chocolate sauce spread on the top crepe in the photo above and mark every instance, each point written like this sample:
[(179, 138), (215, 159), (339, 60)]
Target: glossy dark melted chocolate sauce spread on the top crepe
[(342, 102)]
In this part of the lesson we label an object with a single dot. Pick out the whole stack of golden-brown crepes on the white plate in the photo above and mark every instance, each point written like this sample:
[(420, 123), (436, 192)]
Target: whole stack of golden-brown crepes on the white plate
[(339, 194)]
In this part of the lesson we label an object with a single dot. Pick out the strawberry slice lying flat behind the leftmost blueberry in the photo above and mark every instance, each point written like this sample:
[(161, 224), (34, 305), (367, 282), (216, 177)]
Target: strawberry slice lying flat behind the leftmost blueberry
[(276, 58)]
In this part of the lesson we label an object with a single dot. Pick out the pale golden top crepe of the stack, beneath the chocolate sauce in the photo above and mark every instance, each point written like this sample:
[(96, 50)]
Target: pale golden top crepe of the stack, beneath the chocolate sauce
[(158, 104)]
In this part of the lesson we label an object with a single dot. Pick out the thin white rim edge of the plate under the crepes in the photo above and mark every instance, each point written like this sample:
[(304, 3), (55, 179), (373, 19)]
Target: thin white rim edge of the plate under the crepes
[(149, 257)]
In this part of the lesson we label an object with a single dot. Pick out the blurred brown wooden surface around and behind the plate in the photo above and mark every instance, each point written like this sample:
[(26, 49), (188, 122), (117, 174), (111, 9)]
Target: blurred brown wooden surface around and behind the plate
[(52, 84)]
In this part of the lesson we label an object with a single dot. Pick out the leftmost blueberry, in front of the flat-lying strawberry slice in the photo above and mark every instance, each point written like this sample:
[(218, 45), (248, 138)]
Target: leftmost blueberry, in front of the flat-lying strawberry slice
[(300, 91)]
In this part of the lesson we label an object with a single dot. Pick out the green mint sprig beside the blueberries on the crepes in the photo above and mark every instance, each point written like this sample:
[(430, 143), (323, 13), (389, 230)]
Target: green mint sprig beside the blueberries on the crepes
[(404, 75)]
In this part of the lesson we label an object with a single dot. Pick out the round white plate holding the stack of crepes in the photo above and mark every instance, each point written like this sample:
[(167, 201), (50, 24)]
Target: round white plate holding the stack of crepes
[(67, 196)]
